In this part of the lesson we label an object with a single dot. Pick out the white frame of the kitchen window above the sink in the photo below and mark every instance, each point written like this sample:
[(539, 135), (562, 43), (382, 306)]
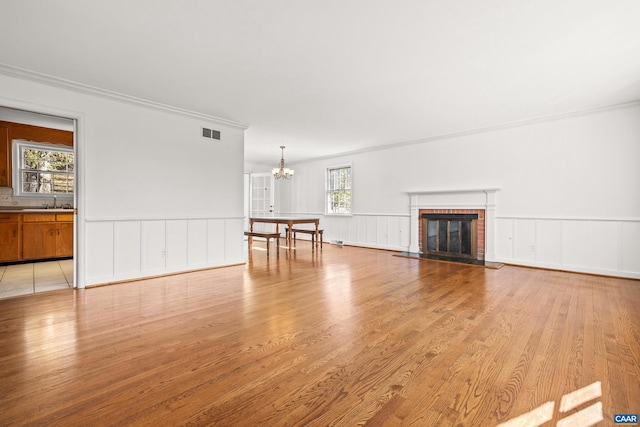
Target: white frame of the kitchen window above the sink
[(18, 147)]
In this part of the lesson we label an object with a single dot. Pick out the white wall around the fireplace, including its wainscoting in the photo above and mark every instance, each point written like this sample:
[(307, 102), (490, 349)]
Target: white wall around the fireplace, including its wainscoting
[(569, 190)]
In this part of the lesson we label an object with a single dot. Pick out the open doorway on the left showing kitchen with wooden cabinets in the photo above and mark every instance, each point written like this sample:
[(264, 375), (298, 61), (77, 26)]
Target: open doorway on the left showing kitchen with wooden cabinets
[(46, 207)]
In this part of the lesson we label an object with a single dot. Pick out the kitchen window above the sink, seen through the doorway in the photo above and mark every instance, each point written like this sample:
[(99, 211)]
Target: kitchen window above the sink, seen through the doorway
[(42, 169)]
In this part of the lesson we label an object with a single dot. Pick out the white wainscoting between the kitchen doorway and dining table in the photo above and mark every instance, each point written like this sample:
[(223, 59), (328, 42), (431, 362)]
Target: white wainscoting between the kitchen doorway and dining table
[(129, 249)]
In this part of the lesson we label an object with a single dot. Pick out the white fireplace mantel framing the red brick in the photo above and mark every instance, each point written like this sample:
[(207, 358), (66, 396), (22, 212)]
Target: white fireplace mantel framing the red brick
[(456, 199)]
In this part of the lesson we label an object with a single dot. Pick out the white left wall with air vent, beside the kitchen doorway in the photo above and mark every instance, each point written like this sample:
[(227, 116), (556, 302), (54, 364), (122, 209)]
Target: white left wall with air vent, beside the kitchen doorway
[(153, 197)]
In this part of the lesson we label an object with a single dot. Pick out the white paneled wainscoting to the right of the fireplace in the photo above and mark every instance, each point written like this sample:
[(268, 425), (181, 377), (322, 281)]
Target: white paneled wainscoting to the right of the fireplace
[(598, 246)]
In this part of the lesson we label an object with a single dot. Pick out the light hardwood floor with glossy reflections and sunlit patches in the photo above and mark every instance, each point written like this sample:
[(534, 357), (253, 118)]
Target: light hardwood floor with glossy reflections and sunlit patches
[(345, 336)]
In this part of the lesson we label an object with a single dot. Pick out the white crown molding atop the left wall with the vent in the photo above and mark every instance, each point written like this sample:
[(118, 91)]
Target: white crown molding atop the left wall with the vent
[(25, 74)]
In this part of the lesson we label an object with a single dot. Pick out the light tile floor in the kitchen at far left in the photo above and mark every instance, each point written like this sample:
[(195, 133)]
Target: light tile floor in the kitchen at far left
[(21, 279)]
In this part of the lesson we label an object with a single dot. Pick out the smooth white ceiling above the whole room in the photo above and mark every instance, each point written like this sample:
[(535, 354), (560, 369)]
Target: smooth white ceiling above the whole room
[(333, 76)]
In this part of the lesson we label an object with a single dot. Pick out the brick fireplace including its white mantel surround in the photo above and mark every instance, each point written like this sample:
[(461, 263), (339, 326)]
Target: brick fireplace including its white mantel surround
[(453, 204)]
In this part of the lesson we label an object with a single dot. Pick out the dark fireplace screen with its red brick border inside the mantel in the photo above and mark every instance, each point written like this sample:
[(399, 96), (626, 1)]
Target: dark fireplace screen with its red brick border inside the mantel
[(450, 234)]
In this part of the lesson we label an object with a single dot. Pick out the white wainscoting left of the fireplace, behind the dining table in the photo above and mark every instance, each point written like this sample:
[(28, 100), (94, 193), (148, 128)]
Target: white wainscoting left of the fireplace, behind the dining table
[(380, 231)]
